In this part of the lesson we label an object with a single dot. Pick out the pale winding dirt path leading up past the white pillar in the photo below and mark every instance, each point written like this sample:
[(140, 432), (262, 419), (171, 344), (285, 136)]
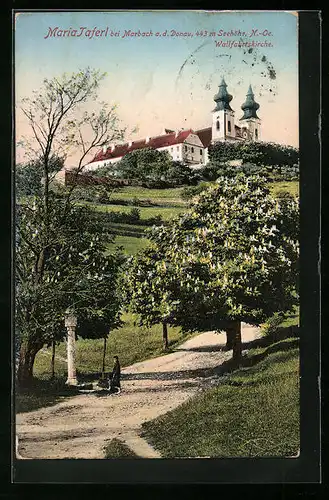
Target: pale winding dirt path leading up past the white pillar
[(80, 426)]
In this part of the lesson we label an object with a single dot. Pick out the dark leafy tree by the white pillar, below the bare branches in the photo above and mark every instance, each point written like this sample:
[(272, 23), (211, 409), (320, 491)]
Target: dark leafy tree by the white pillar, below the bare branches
[(75, 274)]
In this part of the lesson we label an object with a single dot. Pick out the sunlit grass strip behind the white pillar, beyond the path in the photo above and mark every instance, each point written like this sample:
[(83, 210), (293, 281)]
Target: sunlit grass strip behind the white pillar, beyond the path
[(131, 343)]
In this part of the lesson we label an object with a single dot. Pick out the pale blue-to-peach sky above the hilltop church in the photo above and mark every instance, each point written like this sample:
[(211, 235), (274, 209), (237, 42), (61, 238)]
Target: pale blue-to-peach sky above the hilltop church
[(166, 80)]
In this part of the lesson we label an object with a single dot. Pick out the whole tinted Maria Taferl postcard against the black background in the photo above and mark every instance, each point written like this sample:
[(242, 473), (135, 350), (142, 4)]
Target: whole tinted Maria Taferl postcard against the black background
[(157, 191)]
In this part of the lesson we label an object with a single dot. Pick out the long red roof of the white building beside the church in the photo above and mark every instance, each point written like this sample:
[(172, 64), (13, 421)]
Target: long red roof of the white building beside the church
[(161, 141)]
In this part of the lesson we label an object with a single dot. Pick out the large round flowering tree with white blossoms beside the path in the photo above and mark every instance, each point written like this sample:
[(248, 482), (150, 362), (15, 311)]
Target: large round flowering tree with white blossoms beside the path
[(233, 257)]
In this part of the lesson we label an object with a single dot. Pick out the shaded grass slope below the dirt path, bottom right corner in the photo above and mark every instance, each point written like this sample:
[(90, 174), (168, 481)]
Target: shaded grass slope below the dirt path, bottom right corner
[(253, 412)]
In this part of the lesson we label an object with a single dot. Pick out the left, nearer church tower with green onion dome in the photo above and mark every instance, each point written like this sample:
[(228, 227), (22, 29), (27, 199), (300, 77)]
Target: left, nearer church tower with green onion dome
[(223, 127)]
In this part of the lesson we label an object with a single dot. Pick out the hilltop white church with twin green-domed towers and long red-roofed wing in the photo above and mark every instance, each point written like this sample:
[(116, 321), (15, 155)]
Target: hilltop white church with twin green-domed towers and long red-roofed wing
[(189, 146)]
